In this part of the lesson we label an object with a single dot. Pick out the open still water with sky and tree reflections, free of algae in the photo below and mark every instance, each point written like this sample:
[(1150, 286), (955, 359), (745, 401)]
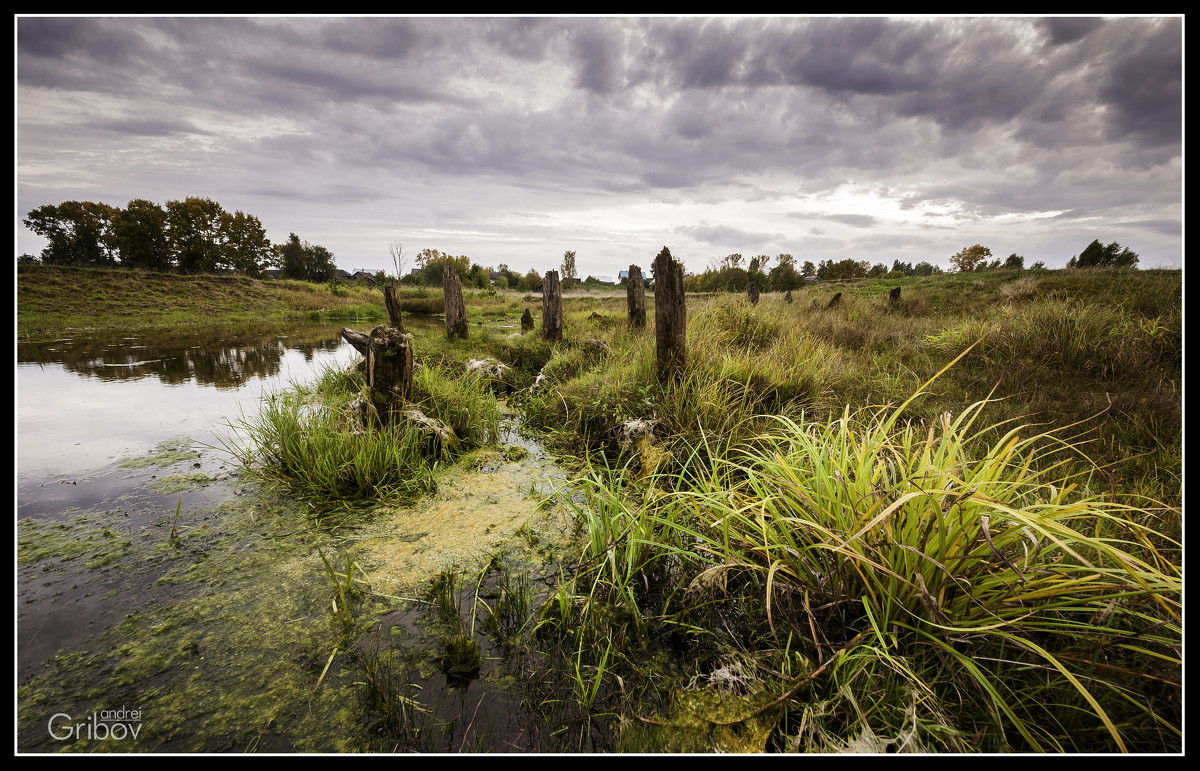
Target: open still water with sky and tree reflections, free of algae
[(87, 403)]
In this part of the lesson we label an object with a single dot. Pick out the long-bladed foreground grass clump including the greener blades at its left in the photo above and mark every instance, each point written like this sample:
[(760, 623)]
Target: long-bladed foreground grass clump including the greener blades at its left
[(958, 589)]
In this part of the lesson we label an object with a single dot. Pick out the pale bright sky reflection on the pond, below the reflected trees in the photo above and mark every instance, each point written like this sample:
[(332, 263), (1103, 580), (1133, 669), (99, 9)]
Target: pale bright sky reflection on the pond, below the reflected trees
[(71, 423)]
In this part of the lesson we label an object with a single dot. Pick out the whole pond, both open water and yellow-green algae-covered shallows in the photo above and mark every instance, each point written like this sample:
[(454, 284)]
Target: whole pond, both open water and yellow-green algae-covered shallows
[(153, 582)]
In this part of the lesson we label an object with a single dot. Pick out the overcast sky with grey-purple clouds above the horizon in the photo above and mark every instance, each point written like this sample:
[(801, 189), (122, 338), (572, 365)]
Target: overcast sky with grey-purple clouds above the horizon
[(513, 140)]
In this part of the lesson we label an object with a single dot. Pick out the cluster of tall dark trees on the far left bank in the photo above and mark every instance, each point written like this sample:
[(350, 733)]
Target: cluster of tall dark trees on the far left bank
[(190, 236)]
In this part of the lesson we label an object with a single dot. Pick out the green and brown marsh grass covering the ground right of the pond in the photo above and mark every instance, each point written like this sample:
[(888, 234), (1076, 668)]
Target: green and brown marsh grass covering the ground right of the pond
[(949, 522)]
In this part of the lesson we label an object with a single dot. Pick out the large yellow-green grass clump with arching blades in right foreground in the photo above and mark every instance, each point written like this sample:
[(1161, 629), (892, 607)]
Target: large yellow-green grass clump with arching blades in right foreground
[(976, 577)]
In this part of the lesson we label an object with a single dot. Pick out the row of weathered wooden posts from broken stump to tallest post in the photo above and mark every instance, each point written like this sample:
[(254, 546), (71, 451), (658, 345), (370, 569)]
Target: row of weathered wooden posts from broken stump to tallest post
[(389, 351)]
